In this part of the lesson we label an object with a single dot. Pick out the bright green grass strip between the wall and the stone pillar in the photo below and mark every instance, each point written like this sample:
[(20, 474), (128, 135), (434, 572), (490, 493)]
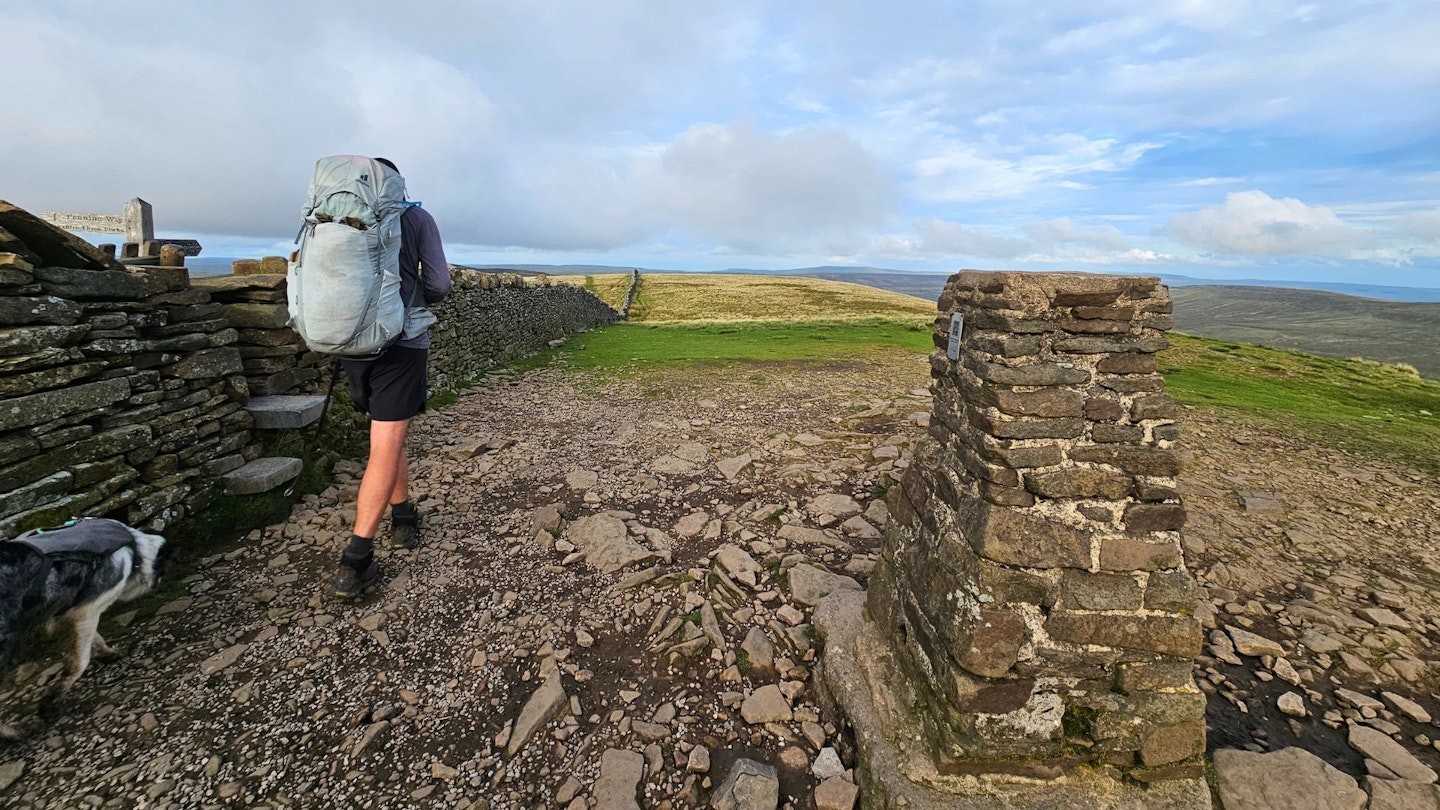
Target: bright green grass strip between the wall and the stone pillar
[(640, 347)]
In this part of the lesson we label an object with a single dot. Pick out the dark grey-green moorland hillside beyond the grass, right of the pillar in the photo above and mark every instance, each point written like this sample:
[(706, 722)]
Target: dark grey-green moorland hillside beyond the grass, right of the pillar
[(1313, 321)]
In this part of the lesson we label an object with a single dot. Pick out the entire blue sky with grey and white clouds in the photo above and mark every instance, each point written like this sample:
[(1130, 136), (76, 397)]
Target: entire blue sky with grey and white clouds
[(1219, 139)]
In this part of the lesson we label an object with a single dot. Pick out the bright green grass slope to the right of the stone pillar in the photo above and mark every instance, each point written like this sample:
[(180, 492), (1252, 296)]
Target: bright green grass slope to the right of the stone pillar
[(1372, 409)]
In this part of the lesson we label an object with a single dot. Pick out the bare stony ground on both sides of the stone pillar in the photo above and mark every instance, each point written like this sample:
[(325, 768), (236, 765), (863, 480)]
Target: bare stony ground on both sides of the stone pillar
[(614, 597)]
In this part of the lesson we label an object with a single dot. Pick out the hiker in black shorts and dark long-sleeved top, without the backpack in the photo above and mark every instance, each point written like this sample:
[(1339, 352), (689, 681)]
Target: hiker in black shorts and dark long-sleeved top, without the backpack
[(391, 390)]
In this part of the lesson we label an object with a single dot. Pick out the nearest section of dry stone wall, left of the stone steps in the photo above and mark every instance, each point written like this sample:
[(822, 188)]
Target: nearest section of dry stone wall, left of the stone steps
[(120, 388)]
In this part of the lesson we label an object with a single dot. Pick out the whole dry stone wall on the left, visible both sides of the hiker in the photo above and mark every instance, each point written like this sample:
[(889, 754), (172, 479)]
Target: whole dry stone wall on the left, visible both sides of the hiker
[(123, 390)]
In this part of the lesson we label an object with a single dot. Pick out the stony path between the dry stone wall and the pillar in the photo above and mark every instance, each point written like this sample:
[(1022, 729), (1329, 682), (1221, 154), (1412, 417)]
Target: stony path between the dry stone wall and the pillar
[(258, 691)]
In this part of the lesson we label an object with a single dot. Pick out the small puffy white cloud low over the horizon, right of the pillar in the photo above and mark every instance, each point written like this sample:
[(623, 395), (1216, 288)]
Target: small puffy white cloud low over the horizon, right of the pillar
[(1259, 226)]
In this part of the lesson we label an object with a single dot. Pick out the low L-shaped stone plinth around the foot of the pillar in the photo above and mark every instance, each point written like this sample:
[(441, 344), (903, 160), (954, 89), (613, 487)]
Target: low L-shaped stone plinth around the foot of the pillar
[(859, 674)]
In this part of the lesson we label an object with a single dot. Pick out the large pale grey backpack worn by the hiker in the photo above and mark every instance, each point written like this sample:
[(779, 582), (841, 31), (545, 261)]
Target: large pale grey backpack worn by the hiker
[(345, 290)]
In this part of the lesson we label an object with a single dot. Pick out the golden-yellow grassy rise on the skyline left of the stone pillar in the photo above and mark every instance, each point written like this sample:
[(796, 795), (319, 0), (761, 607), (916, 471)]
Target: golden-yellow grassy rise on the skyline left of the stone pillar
[(690, 298)]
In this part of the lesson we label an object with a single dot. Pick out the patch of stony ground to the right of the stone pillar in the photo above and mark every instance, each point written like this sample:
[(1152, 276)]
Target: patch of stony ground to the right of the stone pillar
[(1324, 613)]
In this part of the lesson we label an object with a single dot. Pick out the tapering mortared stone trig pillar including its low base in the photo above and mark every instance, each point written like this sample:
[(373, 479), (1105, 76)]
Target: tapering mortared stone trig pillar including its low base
[(1029, 635)]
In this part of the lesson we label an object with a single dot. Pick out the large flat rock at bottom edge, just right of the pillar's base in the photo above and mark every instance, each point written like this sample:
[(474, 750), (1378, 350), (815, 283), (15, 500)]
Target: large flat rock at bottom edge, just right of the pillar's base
[(1291, 779)]
